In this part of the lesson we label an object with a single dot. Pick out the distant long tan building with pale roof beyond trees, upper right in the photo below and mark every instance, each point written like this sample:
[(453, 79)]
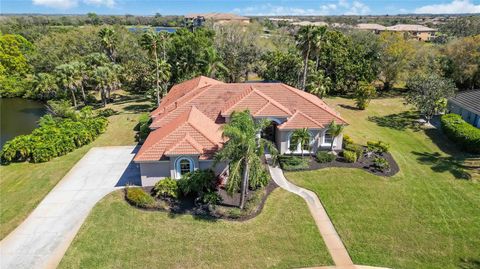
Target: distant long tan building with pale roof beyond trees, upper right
[(419, 32)]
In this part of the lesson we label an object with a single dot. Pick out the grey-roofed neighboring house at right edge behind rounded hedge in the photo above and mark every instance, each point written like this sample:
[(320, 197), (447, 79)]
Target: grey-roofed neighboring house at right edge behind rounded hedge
[(467, 105)]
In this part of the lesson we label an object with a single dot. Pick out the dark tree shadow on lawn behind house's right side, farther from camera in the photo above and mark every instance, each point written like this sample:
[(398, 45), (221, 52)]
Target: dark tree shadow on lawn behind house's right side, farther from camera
[(399, 121)]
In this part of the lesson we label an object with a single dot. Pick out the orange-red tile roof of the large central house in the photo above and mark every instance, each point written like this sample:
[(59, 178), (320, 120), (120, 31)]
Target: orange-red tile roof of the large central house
[(189, 118)]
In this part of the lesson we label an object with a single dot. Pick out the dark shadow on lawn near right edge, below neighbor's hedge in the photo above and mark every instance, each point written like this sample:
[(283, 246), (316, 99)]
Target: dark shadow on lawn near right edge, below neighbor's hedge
[(439, 163)]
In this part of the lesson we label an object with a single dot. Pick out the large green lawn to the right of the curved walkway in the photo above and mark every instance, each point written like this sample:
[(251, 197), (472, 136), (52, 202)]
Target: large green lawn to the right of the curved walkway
[(426, 216)]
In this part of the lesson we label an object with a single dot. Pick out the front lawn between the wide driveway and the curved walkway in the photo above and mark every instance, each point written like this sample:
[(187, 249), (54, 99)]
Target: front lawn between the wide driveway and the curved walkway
[(117, 235)]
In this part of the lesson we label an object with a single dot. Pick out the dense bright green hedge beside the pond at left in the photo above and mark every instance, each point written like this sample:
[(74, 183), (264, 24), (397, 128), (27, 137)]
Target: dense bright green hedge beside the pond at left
[(54, 137)]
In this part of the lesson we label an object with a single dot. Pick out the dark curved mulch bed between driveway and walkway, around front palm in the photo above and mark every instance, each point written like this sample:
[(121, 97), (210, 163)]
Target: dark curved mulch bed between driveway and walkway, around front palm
[(187, 205)]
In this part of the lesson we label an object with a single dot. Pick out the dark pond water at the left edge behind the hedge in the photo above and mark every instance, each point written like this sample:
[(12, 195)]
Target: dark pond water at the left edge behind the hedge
[(18, 116)]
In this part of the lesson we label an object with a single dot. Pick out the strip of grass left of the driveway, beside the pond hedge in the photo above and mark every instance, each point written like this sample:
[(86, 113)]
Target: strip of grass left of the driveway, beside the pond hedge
[(24, 185)]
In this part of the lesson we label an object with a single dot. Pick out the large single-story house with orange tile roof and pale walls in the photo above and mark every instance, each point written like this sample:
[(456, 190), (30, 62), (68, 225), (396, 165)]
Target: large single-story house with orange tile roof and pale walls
[(187, 126)]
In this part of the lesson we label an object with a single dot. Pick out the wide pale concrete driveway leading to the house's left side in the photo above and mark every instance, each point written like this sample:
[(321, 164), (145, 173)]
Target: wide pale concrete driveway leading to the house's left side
[(42, 239)]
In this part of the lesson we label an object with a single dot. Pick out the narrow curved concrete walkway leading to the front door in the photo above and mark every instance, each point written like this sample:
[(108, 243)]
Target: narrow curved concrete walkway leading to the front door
[(332, 240)]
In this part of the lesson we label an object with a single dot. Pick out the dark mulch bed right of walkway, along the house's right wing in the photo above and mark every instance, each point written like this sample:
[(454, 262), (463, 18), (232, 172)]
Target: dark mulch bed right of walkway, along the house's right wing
[(364, 162)]
